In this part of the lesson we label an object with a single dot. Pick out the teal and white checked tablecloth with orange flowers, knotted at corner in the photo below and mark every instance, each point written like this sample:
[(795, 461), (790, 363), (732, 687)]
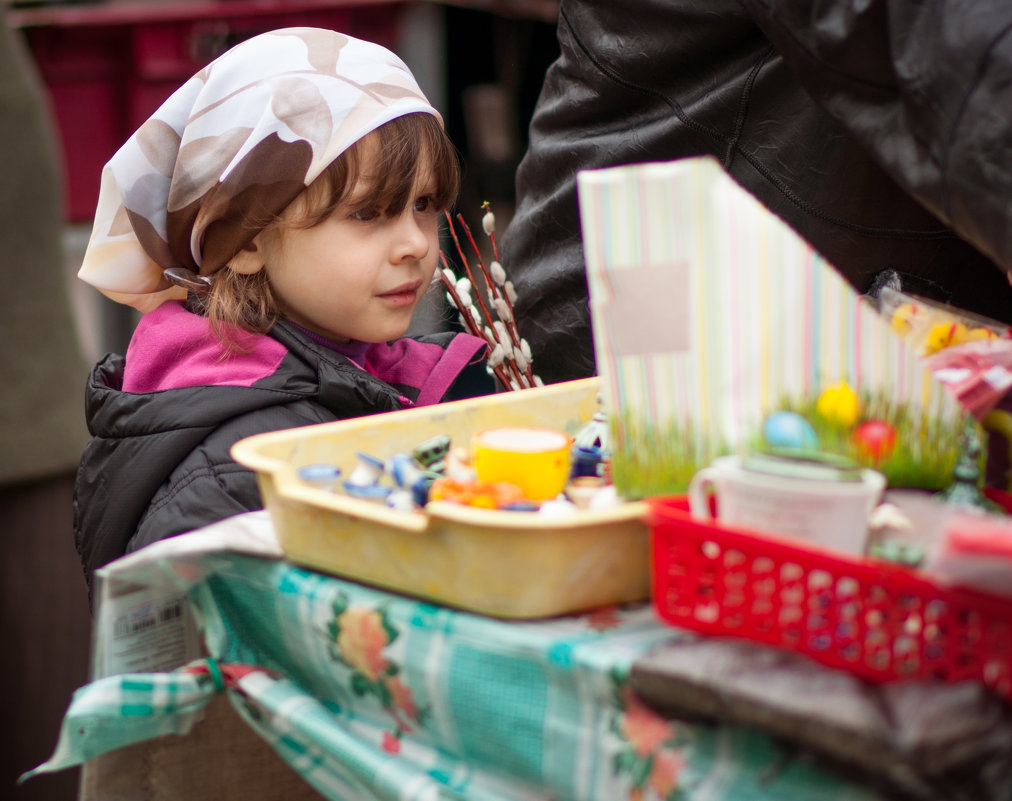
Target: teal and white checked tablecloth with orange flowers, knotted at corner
[(370, 695)]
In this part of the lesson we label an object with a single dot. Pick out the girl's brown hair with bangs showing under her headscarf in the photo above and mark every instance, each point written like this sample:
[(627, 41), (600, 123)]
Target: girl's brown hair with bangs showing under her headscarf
[(246, 302)]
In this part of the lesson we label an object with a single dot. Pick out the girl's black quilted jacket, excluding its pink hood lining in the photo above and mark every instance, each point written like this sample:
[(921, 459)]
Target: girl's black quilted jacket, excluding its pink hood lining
[(158, 463)]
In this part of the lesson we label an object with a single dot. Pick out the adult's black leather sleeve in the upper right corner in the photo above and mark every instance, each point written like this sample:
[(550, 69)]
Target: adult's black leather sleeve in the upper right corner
[(925, 87)]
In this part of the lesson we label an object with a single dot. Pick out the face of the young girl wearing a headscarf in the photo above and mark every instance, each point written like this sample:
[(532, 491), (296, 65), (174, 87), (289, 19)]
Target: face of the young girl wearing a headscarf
[(360, 274)]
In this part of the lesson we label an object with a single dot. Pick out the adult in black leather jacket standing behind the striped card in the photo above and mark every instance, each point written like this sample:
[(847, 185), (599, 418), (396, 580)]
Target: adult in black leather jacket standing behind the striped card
[(880, 130)]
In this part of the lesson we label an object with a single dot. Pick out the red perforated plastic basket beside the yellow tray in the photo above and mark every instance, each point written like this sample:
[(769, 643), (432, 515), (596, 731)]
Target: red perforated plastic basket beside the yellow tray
[(878, 620)]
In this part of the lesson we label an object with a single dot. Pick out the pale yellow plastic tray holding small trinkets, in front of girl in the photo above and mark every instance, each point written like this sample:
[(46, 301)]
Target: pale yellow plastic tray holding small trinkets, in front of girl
[(513, 565)]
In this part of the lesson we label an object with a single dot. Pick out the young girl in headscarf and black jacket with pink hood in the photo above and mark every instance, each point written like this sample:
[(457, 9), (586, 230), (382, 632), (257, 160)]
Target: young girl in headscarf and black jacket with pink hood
[(277, 222)]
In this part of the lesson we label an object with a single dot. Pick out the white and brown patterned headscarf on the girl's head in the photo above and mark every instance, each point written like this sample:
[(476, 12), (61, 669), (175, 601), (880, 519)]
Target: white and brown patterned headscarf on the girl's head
[(236, 143)]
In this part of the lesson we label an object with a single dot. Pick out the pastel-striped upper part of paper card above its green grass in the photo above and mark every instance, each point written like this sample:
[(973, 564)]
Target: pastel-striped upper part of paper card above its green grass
[(710, 313)]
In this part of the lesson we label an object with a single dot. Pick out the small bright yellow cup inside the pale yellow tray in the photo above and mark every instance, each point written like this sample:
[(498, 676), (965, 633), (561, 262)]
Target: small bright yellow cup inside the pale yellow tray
[(537, 461)]
